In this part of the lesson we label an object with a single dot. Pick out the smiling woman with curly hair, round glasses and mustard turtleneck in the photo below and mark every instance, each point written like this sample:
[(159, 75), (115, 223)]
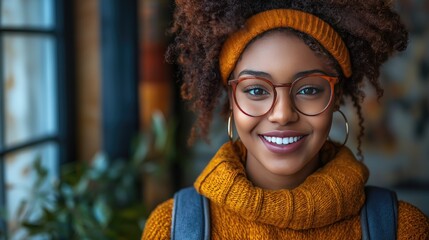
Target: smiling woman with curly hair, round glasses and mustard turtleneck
[(286, 67)]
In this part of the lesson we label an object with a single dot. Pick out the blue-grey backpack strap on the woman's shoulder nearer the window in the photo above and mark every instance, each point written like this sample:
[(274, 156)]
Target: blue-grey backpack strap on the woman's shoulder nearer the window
[(191, 216)]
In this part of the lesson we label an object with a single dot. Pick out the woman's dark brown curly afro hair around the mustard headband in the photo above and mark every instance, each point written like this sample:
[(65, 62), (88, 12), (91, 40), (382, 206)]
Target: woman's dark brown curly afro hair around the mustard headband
[(370, 29)]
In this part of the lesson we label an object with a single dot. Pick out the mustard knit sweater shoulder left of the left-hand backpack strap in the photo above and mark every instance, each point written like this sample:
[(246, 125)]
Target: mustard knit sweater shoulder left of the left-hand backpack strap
[(158, 225)]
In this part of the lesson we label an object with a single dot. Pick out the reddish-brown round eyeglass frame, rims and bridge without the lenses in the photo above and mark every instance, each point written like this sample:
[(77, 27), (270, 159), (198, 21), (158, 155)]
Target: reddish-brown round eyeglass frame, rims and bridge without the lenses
[(333, 80)]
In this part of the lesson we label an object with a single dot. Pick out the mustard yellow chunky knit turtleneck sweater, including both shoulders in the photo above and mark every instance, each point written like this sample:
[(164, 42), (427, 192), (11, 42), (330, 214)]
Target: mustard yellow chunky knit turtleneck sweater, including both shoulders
[(325, 206)]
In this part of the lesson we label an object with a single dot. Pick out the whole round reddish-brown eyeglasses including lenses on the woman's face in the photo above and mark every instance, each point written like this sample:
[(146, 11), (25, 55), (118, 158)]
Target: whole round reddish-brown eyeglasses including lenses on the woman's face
[(310, 95)]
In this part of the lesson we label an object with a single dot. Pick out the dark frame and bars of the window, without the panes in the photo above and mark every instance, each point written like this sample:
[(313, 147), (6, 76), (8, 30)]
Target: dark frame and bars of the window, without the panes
[(62, 32)]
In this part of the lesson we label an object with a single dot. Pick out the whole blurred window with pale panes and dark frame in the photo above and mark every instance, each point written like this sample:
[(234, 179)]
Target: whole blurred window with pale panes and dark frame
[(35, 94)]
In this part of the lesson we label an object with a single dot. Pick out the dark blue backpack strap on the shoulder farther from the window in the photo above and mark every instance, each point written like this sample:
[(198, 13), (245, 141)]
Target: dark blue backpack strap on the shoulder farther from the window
[(379, 214)]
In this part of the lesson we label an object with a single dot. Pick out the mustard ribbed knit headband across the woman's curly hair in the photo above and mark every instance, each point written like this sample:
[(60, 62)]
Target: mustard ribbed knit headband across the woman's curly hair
[(277, 18)]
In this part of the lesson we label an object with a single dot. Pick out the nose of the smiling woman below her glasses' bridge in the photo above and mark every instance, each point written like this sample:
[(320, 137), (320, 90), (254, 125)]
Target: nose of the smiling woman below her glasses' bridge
[(283, 111)]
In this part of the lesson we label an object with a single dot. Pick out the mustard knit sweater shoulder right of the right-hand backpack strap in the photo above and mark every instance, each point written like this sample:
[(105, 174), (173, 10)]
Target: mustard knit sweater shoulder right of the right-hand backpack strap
[(412, 223)]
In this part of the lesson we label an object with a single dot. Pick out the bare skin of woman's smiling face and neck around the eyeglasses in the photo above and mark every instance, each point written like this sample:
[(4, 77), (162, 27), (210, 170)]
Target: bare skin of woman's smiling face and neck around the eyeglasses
[(280, 57)]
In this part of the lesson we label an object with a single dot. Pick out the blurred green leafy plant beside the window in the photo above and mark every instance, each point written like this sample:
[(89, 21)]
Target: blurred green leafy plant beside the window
[(99, 199)]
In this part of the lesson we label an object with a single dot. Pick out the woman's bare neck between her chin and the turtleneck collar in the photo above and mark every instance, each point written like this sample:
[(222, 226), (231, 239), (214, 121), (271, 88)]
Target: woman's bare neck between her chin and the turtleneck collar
[(261, 177)]
